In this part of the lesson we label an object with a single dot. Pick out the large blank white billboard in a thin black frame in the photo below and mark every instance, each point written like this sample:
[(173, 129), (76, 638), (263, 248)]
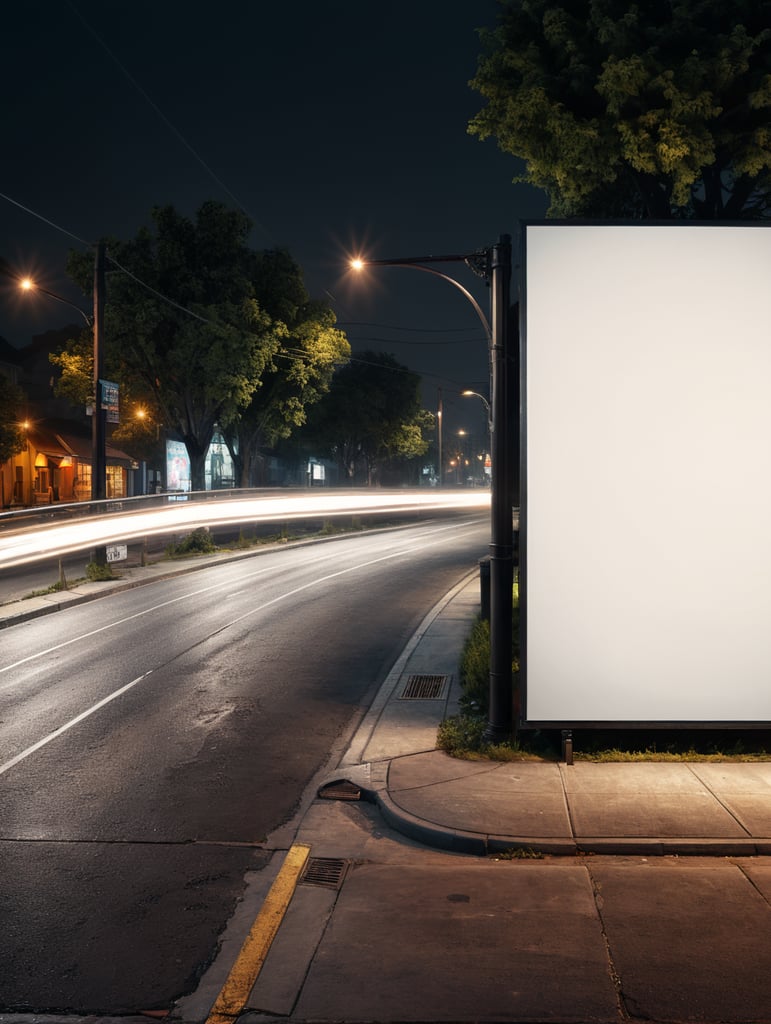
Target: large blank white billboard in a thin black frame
[(646, 525)]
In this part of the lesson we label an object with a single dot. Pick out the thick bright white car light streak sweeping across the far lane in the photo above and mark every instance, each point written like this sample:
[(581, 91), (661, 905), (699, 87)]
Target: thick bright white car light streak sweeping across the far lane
[(52, 541)]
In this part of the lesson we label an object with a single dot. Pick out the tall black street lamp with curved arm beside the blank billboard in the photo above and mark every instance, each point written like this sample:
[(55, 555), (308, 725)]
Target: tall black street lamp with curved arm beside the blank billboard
[(495, 265)]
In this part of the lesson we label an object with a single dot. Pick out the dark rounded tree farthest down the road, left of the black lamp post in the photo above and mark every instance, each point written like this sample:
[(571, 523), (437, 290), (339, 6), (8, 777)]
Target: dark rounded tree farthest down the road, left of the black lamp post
[(371, 417)]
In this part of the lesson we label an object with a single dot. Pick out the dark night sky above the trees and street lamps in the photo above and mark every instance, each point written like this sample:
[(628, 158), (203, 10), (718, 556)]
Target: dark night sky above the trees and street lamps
[(338, 126)]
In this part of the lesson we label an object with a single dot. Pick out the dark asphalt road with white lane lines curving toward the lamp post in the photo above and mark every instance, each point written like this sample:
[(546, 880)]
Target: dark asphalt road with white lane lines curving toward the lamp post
[(151, 742)]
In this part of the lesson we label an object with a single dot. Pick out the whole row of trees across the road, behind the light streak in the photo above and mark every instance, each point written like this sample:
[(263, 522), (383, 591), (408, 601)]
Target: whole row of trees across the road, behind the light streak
[(204, 333)]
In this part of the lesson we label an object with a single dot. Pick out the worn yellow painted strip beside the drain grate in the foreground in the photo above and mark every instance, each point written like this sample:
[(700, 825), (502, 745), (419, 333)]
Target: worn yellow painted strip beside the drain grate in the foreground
[(230, 1004)]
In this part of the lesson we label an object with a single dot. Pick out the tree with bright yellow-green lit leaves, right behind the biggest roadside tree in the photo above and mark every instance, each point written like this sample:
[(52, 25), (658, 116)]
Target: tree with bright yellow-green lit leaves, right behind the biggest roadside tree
[(302, 370)]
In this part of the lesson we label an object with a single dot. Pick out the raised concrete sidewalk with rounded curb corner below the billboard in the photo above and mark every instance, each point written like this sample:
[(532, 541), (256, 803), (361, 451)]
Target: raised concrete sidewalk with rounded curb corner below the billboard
[(482, 807)]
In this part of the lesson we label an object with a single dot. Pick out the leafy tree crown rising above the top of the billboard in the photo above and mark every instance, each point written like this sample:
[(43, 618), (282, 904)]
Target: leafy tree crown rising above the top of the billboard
[(658, 109)]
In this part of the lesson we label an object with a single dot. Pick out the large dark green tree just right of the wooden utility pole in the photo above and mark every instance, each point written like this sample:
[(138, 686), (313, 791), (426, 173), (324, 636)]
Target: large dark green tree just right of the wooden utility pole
[(184, 327)]
